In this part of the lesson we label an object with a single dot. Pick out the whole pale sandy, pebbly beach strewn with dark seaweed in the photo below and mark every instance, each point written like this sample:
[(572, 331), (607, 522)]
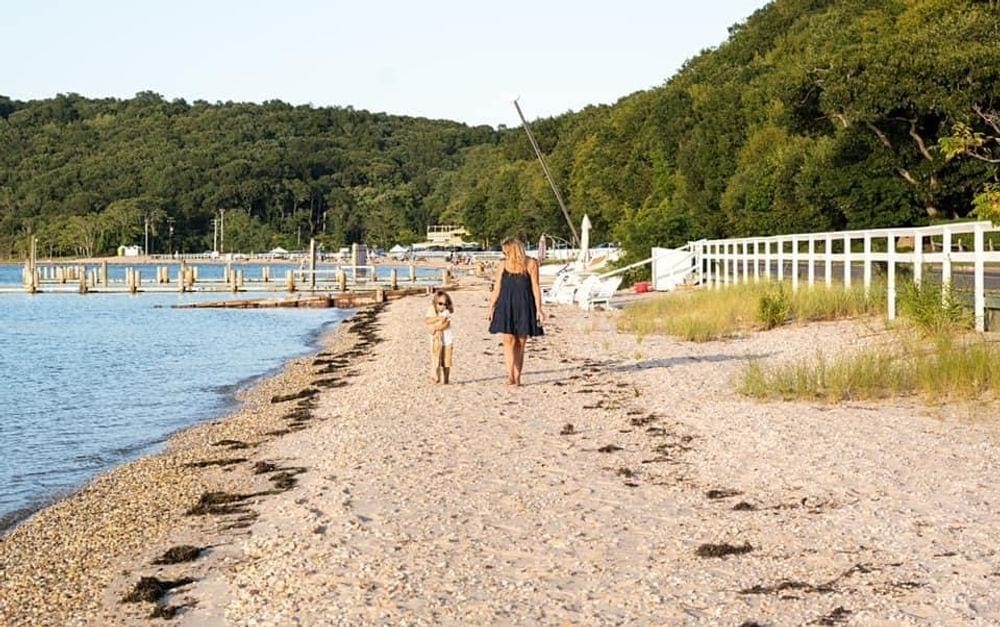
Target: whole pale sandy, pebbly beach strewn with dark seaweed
[(625, 482)]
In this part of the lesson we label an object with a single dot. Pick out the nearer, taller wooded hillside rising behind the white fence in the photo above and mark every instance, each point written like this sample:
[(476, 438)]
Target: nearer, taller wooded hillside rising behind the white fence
[(813, 115)]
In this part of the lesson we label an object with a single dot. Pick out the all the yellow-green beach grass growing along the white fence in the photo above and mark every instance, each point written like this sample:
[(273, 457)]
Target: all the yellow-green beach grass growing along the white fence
[(939, 361)]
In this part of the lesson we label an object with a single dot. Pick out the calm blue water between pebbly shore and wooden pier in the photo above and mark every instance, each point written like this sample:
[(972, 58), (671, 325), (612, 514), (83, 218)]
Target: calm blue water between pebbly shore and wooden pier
[(89, 382)]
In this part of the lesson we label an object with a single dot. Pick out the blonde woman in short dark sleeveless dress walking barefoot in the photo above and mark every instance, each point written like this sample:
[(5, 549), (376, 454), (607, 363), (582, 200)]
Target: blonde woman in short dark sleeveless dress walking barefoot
[(516, 306)]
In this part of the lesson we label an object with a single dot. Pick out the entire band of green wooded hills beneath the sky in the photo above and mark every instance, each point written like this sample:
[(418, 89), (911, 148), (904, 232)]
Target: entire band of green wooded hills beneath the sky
[(813, 115)]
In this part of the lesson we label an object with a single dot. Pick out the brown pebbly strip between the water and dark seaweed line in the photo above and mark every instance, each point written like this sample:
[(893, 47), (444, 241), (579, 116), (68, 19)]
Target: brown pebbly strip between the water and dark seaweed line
[(56, 565)]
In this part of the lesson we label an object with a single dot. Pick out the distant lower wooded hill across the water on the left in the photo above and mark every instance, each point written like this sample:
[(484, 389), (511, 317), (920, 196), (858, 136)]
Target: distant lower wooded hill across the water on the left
[(89, 175)]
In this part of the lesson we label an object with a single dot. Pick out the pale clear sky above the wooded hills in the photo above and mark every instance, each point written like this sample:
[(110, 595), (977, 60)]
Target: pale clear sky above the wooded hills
[(459, 60)]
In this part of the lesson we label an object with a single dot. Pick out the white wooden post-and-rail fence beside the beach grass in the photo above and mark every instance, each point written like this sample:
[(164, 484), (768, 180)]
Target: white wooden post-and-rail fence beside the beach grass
[(733, 261)]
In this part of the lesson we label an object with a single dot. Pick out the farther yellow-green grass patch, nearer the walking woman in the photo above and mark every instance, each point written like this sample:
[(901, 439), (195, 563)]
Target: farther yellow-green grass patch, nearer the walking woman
[(708, 314)]
